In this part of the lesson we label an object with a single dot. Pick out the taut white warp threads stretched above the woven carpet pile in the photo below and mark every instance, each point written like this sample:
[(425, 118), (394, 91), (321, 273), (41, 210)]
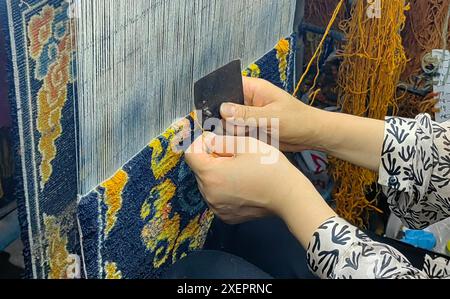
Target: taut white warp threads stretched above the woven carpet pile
[(137, 61)]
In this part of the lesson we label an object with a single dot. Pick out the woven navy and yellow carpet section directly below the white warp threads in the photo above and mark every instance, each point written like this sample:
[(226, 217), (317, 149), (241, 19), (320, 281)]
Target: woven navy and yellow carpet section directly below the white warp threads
[(164, 214)]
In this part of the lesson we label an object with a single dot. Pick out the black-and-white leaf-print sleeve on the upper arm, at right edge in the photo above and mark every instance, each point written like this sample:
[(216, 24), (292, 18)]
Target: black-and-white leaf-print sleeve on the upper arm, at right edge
[(415, 170)]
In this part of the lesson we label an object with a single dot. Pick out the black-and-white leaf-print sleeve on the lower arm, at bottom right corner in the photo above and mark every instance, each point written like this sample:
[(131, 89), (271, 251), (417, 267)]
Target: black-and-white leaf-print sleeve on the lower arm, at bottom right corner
[(339, 250)]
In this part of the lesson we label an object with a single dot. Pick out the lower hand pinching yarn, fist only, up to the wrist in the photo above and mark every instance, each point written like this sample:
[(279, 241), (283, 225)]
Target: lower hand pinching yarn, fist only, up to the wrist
[(242, 184)]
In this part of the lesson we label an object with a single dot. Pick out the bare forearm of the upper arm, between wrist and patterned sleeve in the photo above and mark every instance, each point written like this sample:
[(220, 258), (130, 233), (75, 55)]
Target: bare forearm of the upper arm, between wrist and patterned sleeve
[(354, 139)]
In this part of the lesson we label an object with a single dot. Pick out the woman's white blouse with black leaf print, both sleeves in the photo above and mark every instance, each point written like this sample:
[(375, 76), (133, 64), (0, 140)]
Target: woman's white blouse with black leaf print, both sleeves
[(415, 175)]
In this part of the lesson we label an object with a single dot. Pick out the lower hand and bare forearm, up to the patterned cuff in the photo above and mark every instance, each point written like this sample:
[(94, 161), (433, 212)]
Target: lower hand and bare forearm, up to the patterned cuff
[(244, 179)]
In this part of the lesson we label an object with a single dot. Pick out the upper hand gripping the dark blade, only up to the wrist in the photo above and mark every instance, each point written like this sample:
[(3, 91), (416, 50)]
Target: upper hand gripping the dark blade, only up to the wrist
[(264, 100)]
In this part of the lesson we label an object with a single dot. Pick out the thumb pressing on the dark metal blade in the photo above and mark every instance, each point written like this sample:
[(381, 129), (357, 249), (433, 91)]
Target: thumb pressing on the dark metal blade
[(234, 112)]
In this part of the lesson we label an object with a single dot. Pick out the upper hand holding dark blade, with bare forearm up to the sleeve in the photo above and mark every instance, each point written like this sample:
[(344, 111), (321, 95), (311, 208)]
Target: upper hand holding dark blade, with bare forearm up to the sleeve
[(354, 139)]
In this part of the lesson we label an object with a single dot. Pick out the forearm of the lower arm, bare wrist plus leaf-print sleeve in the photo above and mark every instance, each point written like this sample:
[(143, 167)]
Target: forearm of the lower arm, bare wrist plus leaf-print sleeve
[(335, 248)]
